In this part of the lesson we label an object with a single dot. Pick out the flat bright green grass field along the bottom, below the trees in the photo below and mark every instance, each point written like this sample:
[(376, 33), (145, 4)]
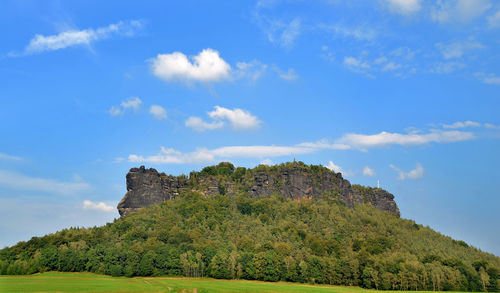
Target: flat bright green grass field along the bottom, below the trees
[(87, 282)]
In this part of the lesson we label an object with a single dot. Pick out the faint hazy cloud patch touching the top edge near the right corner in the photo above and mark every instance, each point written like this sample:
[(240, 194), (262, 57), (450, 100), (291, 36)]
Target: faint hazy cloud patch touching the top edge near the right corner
[(459, 10)]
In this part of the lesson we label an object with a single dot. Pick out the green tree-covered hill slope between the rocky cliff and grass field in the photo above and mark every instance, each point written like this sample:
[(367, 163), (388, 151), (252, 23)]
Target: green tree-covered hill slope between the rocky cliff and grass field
[(222, 235)]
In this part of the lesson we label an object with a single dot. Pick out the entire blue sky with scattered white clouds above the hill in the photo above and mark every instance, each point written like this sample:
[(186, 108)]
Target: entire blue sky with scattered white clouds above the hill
[(402, 91)]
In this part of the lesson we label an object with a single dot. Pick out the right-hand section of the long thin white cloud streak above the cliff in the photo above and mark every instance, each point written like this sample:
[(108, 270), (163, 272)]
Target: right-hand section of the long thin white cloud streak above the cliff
[(364, 141)]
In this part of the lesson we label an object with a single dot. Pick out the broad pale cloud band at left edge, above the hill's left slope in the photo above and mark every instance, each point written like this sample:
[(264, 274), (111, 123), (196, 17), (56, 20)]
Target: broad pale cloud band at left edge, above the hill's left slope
[(21, 182)]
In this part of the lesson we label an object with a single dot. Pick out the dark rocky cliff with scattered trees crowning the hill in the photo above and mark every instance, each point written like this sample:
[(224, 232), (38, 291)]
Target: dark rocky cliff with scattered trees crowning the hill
[(292, 180)]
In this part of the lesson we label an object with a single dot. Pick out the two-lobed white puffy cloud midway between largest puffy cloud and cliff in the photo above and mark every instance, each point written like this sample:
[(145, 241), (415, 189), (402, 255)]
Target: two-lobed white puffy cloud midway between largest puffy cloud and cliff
[(239, 119)]
